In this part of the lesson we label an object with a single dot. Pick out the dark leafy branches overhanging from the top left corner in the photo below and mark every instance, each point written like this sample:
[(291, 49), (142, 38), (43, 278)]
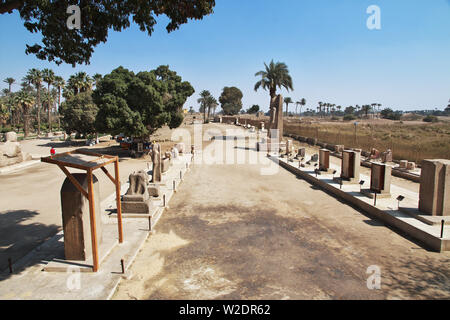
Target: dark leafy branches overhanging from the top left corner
[(60, 44)]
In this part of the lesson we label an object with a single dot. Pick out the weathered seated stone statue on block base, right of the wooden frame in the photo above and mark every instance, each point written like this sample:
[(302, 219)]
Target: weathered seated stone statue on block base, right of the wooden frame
[(137, 199)]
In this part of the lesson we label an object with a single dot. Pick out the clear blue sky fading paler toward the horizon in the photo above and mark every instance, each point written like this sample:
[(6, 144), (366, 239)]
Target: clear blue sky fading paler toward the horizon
[(331, 54)]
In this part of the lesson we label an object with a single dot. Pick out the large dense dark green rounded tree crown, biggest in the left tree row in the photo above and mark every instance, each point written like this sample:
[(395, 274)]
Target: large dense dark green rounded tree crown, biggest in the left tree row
[(139, 104)]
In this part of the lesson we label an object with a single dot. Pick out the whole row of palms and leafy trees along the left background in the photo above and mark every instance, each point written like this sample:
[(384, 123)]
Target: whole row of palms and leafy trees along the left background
[(122, 101)]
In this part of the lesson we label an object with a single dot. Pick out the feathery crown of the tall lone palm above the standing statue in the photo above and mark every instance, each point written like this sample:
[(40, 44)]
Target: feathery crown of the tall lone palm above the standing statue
[(275, 75)]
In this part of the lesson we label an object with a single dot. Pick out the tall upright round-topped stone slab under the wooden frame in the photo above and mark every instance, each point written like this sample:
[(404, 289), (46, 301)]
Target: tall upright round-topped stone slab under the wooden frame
[(76, 218)]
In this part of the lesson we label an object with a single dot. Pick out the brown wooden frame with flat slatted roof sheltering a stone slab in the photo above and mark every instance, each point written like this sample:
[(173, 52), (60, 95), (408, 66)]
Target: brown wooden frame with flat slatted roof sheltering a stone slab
[(90, 161)]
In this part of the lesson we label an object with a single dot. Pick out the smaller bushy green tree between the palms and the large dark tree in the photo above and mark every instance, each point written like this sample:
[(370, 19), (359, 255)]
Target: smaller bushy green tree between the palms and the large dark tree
[(79, 113)]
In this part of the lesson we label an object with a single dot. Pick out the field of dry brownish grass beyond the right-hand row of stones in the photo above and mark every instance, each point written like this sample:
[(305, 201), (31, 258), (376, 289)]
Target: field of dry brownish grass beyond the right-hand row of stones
[(413, 141)]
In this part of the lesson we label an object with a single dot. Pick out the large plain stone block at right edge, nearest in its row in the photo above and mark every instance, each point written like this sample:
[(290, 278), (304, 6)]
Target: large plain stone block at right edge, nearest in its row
[(434, 194)]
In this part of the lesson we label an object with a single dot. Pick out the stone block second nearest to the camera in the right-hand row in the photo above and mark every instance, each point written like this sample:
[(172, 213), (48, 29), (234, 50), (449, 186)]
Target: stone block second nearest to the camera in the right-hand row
[(380, 181)]
